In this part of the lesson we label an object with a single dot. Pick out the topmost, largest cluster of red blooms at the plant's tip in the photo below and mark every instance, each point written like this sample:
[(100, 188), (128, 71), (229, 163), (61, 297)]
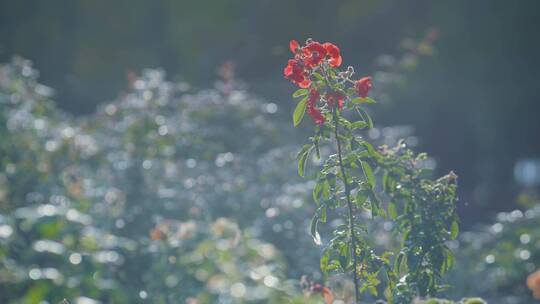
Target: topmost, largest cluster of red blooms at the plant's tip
[(307, 58)]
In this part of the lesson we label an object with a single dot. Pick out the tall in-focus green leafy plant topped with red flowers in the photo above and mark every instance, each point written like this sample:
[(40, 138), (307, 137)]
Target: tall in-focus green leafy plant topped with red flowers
[(389, 183)]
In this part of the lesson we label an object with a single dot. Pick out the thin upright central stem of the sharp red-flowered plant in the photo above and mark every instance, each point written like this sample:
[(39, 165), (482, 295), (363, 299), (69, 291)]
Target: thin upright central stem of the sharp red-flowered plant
[(350, 207)]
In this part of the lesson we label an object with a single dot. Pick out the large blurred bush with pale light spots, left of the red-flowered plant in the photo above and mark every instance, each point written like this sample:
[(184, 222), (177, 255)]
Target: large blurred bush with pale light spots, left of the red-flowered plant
[(164, 195)]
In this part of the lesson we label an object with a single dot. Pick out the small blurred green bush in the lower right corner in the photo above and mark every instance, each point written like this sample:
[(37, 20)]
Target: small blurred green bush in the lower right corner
[(495, 260)]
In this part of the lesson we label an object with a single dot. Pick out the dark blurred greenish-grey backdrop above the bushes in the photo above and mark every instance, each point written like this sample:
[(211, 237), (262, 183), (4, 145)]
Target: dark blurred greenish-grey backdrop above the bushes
[(474, 105)]
